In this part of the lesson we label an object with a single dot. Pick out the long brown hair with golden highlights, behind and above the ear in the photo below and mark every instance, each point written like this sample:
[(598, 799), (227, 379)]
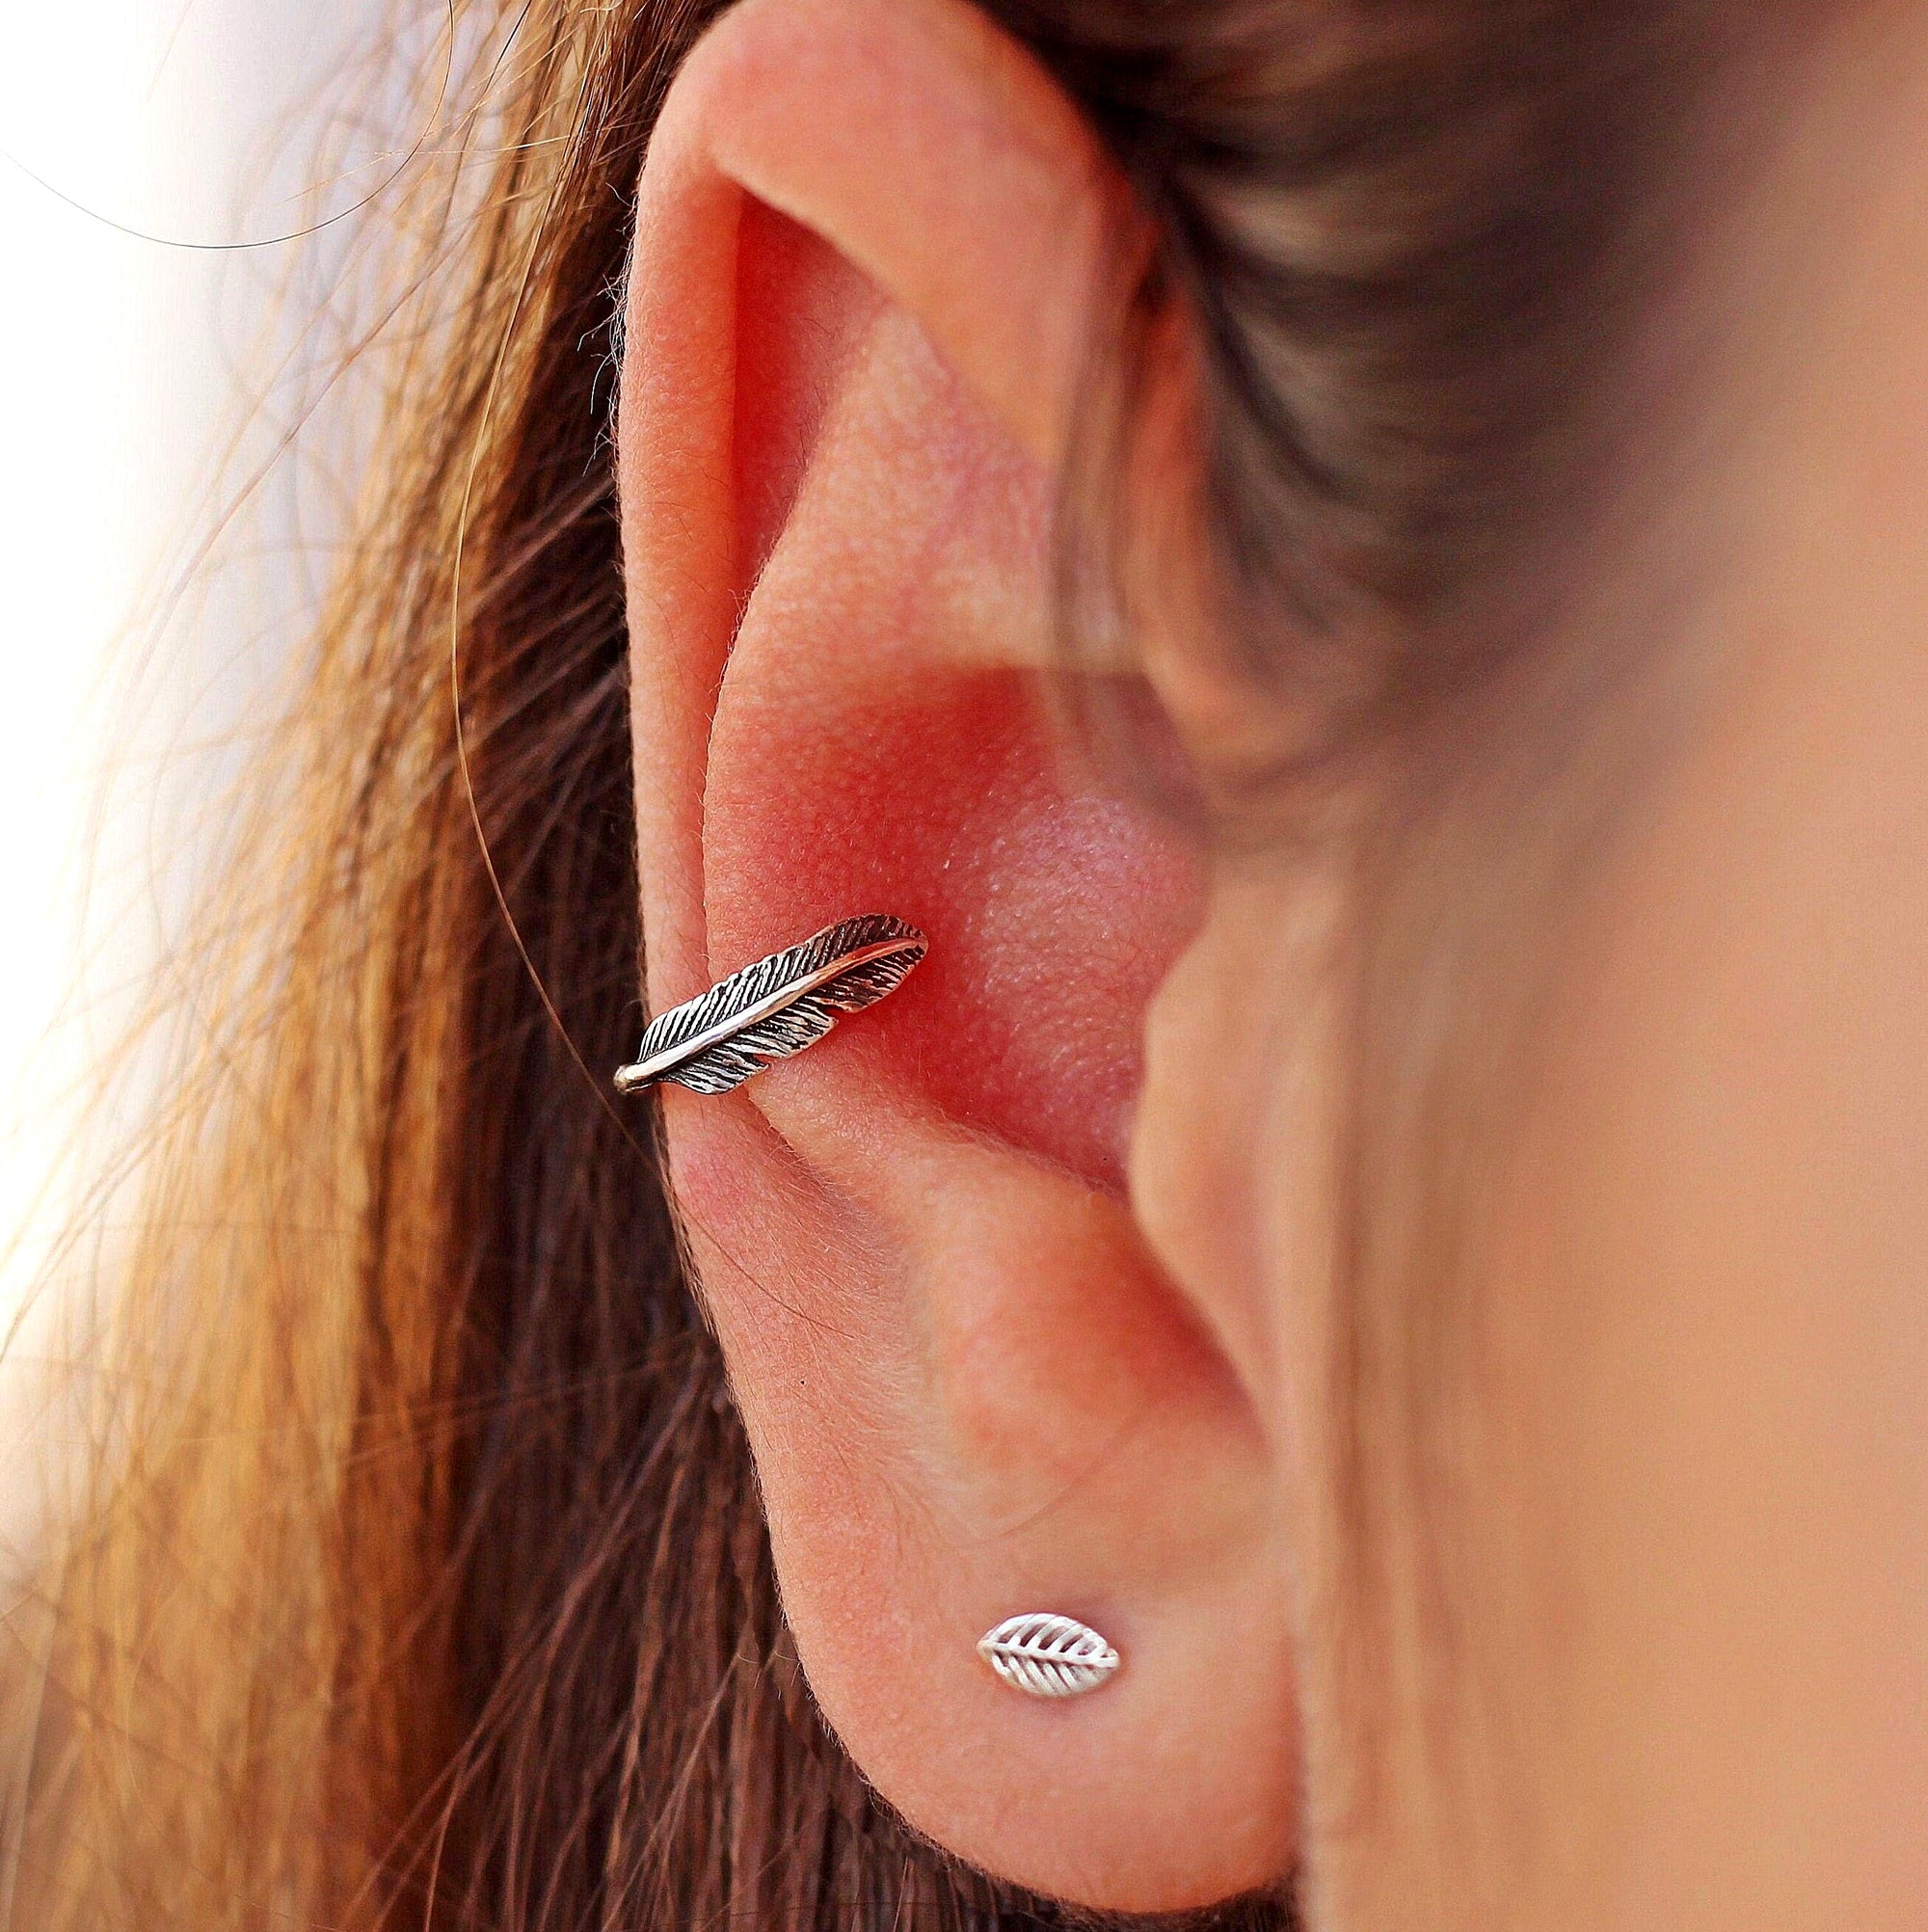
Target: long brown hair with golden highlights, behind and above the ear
[(422, 1576)]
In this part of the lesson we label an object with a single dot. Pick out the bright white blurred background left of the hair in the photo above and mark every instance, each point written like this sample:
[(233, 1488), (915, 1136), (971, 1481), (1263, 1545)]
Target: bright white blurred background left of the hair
[(156, 349)]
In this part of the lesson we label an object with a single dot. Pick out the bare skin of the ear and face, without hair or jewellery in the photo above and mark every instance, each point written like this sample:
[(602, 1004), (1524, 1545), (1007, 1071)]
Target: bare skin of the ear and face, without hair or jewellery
[(1038, 1315)]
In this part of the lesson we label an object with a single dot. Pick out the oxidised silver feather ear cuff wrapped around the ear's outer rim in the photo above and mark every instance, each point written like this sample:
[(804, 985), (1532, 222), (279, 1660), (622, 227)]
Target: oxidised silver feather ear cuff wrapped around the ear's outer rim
[(776, 1008)]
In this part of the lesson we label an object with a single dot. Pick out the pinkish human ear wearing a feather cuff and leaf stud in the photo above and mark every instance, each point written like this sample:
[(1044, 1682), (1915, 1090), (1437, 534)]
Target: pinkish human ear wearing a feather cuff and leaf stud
[(870, 242)]
